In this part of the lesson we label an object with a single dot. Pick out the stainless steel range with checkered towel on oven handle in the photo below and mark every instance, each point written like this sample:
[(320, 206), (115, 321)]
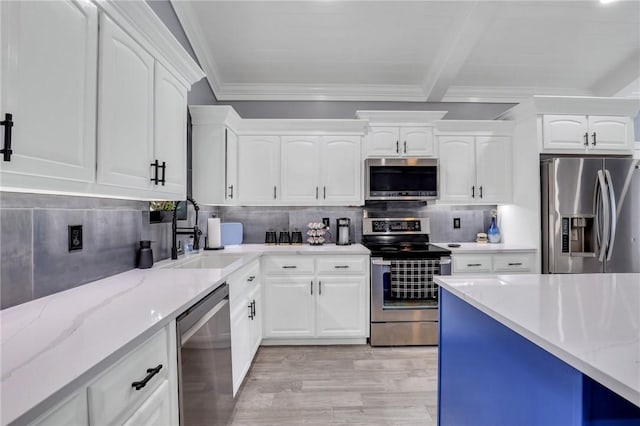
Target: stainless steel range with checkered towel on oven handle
[(404, 298)]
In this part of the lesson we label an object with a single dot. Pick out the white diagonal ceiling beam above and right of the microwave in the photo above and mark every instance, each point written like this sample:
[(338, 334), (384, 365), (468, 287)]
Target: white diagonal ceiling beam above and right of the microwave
[(456, 48)]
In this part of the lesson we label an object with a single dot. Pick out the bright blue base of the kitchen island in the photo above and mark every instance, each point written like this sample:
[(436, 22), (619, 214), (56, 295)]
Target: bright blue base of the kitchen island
[(490, 375)]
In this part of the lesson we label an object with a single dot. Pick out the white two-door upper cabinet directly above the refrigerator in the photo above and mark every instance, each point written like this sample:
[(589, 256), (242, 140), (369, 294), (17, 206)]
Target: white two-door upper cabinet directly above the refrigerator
[(584, 134)]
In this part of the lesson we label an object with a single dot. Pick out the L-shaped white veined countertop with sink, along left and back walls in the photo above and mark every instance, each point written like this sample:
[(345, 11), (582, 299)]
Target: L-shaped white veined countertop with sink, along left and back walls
[(50, 346)]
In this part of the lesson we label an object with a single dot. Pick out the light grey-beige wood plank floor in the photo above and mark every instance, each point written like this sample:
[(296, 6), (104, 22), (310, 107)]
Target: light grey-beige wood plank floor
[(340, 385)]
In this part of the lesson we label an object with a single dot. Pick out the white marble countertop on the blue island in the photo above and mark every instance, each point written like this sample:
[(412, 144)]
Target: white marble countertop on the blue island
[(589, 321)]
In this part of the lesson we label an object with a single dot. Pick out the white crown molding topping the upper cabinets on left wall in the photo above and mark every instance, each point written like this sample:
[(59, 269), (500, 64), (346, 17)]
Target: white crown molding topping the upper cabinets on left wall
[(140, 21)]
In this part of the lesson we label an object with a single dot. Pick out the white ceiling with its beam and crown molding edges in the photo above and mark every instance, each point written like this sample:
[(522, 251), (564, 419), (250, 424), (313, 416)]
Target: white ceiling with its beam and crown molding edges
[(413, 50)]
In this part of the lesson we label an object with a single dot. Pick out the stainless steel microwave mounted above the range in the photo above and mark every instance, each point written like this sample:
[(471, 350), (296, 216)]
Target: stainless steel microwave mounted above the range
[(401, 179)]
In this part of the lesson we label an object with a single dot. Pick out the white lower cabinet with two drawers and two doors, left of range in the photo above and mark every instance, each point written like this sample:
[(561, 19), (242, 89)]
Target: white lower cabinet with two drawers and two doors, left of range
[(310, 297)]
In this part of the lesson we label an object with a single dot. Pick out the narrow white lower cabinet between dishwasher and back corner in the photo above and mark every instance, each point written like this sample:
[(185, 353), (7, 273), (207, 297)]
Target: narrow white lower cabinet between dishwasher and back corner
[(246, 324)]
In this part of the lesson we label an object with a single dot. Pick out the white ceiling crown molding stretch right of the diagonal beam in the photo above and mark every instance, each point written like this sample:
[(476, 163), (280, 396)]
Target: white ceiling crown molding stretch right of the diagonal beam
[(513, 94)]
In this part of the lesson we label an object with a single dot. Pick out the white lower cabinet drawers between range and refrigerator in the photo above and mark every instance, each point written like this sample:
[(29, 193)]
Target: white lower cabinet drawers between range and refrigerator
[(493, 263)]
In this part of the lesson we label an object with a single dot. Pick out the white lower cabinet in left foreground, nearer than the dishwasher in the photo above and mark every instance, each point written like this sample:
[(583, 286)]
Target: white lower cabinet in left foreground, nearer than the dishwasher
[(140, 388)]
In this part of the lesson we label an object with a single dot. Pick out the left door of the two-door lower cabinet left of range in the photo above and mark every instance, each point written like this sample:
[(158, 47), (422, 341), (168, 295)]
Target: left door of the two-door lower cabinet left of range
[(289, 306)]
